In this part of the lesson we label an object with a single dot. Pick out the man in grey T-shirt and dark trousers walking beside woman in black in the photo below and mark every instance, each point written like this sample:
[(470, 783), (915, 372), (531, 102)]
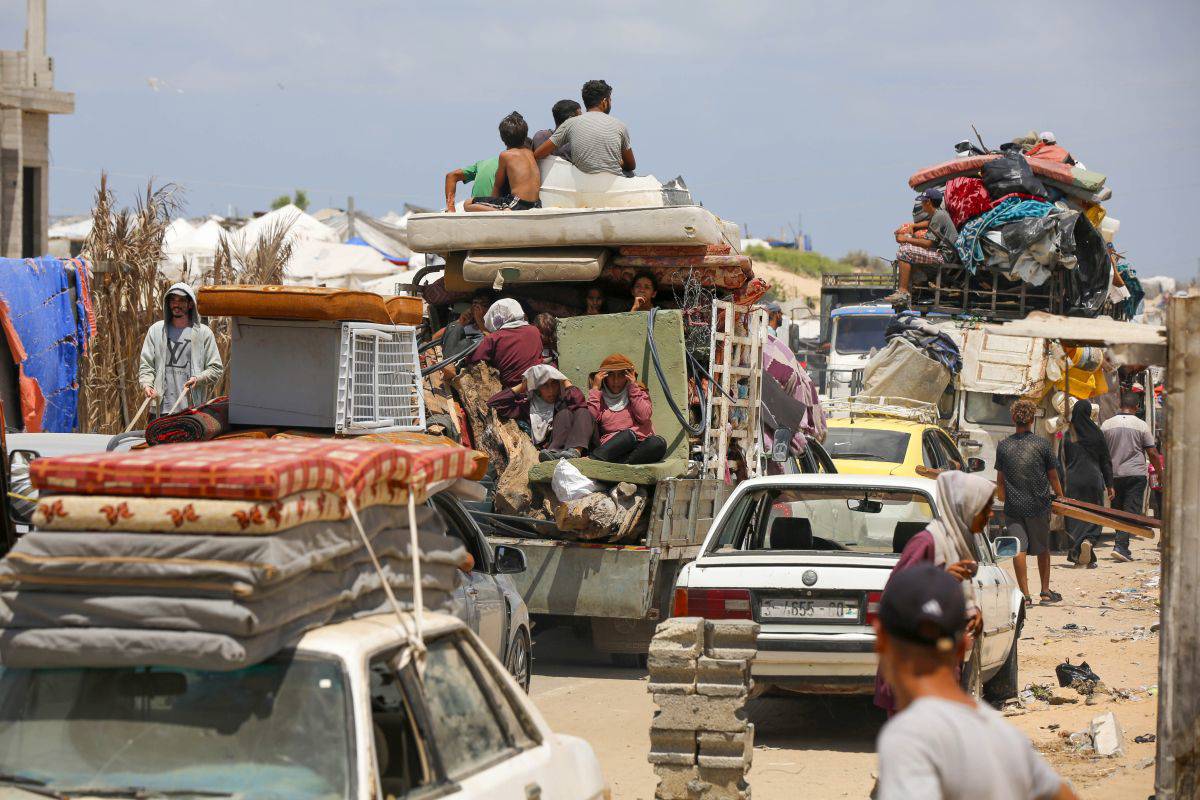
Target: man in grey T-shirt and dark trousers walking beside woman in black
[(1130, 446)]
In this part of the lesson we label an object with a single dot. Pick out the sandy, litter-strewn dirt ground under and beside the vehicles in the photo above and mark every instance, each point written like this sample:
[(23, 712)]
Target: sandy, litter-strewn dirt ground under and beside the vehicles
[(827, 744)]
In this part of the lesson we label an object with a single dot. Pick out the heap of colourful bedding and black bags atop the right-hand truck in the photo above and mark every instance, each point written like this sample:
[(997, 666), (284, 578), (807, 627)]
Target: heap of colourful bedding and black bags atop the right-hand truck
[(1025, 213)]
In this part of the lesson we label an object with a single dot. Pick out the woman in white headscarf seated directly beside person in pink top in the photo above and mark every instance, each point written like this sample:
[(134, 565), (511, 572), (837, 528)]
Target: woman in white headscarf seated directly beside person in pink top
[(555, 413)]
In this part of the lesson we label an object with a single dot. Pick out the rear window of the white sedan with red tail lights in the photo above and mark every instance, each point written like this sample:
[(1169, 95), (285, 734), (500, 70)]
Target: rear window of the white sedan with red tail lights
[(861, 520)]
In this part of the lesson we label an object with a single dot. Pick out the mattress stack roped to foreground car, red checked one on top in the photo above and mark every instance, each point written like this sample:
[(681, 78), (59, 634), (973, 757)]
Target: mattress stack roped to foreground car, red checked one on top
[(215, 556)]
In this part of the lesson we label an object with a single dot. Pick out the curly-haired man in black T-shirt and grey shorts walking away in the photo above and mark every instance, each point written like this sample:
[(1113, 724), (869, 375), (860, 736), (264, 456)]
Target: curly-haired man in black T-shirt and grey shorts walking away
[(1028, 483)]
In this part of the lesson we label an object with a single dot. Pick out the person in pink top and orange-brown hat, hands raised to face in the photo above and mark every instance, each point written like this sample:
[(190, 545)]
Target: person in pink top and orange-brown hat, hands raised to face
[(622, 411)]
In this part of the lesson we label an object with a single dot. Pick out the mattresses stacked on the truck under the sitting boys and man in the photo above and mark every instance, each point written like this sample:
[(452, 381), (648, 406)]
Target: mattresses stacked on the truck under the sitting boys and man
[(610, 244)]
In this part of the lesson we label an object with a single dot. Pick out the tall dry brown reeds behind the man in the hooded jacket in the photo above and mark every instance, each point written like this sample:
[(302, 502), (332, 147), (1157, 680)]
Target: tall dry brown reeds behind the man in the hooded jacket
[(125, 248)]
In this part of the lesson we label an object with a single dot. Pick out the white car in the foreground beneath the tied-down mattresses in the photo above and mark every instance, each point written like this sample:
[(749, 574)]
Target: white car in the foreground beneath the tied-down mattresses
[(346, 714)]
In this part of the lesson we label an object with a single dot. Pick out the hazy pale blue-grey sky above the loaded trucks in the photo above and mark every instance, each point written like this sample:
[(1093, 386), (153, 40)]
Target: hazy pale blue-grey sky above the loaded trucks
[(771, 111)]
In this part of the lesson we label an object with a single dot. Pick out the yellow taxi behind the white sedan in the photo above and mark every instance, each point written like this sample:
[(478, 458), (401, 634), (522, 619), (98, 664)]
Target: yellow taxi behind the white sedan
[(881, 446)]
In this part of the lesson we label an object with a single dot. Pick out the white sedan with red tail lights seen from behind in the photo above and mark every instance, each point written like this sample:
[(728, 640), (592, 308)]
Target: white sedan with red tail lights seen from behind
[(807, 557)]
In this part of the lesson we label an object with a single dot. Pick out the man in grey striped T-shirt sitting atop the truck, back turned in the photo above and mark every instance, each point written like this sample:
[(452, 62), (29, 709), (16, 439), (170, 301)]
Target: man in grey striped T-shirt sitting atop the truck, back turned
[(599, 142)]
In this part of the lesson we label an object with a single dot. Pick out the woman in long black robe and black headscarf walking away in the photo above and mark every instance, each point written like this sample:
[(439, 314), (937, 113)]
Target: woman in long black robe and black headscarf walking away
[(1089, 479)]
